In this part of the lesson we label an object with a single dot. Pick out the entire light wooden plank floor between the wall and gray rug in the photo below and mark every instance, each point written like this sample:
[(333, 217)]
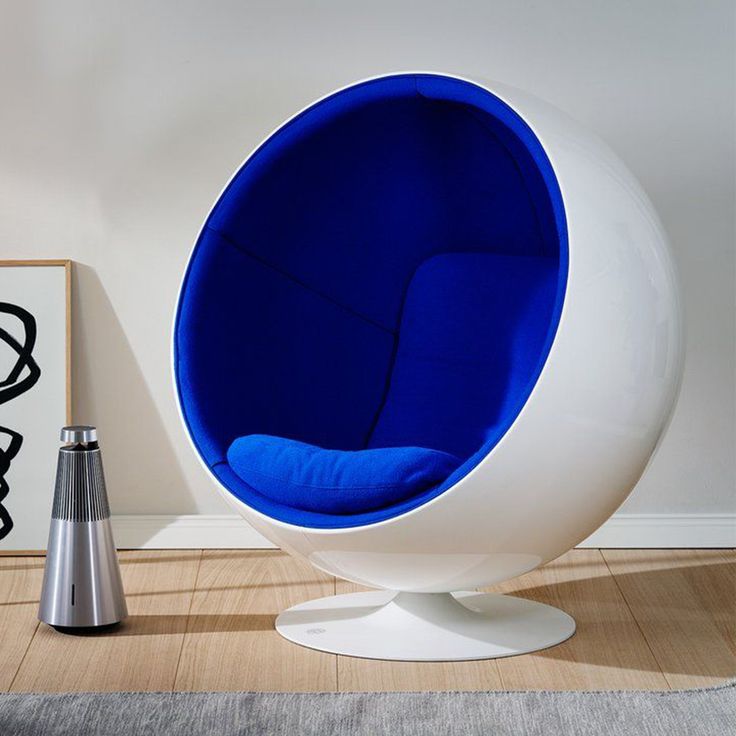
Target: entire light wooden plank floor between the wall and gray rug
[(203, 620)]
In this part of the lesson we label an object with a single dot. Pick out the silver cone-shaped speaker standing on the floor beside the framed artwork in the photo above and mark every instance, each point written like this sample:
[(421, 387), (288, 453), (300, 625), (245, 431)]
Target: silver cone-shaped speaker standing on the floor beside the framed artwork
[(82, 587)]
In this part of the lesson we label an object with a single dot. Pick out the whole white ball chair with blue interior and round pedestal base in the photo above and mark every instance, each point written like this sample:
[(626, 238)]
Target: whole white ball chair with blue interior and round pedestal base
[(428, 340)]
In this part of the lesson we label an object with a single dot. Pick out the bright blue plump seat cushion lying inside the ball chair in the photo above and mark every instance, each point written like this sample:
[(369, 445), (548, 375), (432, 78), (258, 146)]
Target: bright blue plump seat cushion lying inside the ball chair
[(311, 478)]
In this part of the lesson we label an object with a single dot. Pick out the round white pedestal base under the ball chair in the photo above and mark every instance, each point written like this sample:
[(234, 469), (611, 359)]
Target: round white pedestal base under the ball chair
[(425, 626)]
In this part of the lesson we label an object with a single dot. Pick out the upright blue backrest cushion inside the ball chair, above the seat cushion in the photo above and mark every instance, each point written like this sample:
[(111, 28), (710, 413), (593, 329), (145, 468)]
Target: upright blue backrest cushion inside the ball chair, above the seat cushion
[(471, 337)]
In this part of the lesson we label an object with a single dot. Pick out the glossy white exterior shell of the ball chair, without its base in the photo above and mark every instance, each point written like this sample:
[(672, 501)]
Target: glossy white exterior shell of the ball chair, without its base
[(594, 418)]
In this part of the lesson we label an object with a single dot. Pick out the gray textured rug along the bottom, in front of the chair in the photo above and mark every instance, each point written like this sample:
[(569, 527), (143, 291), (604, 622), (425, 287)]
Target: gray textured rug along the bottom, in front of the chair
[(707, 712)]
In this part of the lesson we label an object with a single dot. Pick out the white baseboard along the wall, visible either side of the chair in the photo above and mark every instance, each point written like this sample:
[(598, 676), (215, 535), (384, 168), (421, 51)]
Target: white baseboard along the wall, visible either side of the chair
[(231, 532)]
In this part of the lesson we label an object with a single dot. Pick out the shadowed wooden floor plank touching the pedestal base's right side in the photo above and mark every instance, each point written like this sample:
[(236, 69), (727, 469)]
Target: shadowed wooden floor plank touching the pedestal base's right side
[(607, 652)]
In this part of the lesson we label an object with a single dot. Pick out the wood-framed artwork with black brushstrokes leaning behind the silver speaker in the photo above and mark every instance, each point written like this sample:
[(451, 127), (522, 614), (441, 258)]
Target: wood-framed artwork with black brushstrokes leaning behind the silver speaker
[(35, 394)]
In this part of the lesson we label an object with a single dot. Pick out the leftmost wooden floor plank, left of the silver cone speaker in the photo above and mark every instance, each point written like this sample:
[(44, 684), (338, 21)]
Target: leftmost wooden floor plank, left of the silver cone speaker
[(20, 587)]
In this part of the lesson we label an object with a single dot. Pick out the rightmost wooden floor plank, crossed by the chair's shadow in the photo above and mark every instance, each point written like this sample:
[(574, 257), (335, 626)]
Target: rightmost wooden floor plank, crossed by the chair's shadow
[(684, 602)]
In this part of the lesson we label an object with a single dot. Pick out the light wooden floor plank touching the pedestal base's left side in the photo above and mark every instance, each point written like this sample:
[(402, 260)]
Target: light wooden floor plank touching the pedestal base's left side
[(231, 643)]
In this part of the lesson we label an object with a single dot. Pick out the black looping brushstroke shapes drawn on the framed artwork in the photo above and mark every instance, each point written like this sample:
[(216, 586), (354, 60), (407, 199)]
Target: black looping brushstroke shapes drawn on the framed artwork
[(23, 375)]
